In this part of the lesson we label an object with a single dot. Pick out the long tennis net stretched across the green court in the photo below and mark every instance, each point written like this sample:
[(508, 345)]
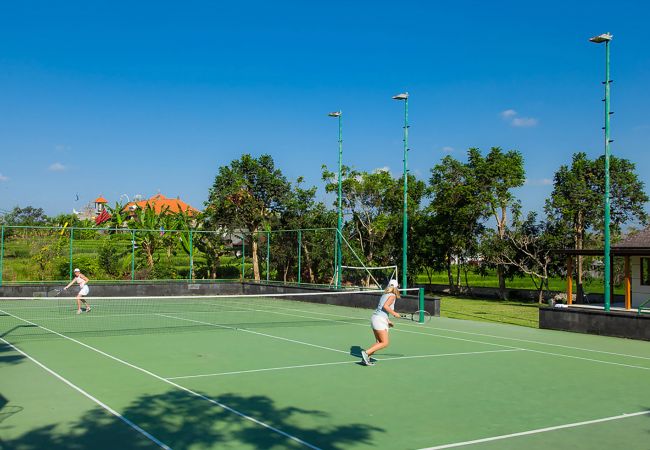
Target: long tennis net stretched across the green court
[(44, 317)]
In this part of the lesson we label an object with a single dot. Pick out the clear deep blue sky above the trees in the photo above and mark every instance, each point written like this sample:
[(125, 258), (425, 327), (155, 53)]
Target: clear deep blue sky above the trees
[(144, 97)]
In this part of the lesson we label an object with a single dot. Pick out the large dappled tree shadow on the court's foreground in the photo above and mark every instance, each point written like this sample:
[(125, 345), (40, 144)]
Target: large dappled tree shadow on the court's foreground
[(181, 420)]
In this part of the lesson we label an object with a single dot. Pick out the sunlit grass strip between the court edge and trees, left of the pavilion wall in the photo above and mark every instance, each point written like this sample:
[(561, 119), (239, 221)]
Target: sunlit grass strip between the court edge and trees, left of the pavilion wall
[(515, 313)]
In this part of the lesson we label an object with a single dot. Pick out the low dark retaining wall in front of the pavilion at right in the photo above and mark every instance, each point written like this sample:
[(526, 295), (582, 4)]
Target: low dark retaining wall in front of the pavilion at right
[(614, 323)]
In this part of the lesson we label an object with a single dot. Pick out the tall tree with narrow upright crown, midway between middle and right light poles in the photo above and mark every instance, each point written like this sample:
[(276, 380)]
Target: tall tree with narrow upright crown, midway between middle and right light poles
[(497, 174)]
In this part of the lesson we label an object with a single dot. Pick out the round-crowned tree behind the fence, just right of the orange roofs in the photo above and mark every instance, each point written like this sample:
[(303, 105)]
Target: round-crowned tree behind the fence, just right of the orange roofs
[(248, 194)]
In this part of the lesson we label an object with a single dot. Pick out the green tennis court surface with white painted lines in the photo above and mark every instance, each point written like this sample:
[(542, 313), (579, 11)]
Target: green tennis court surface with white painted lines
[(203, 373)]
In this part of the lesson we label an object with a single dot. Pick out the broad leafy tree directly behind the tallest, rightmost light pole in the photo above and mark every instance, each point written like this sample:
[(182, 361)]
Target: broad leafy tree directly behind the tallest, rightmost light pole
[(576, 202)]
